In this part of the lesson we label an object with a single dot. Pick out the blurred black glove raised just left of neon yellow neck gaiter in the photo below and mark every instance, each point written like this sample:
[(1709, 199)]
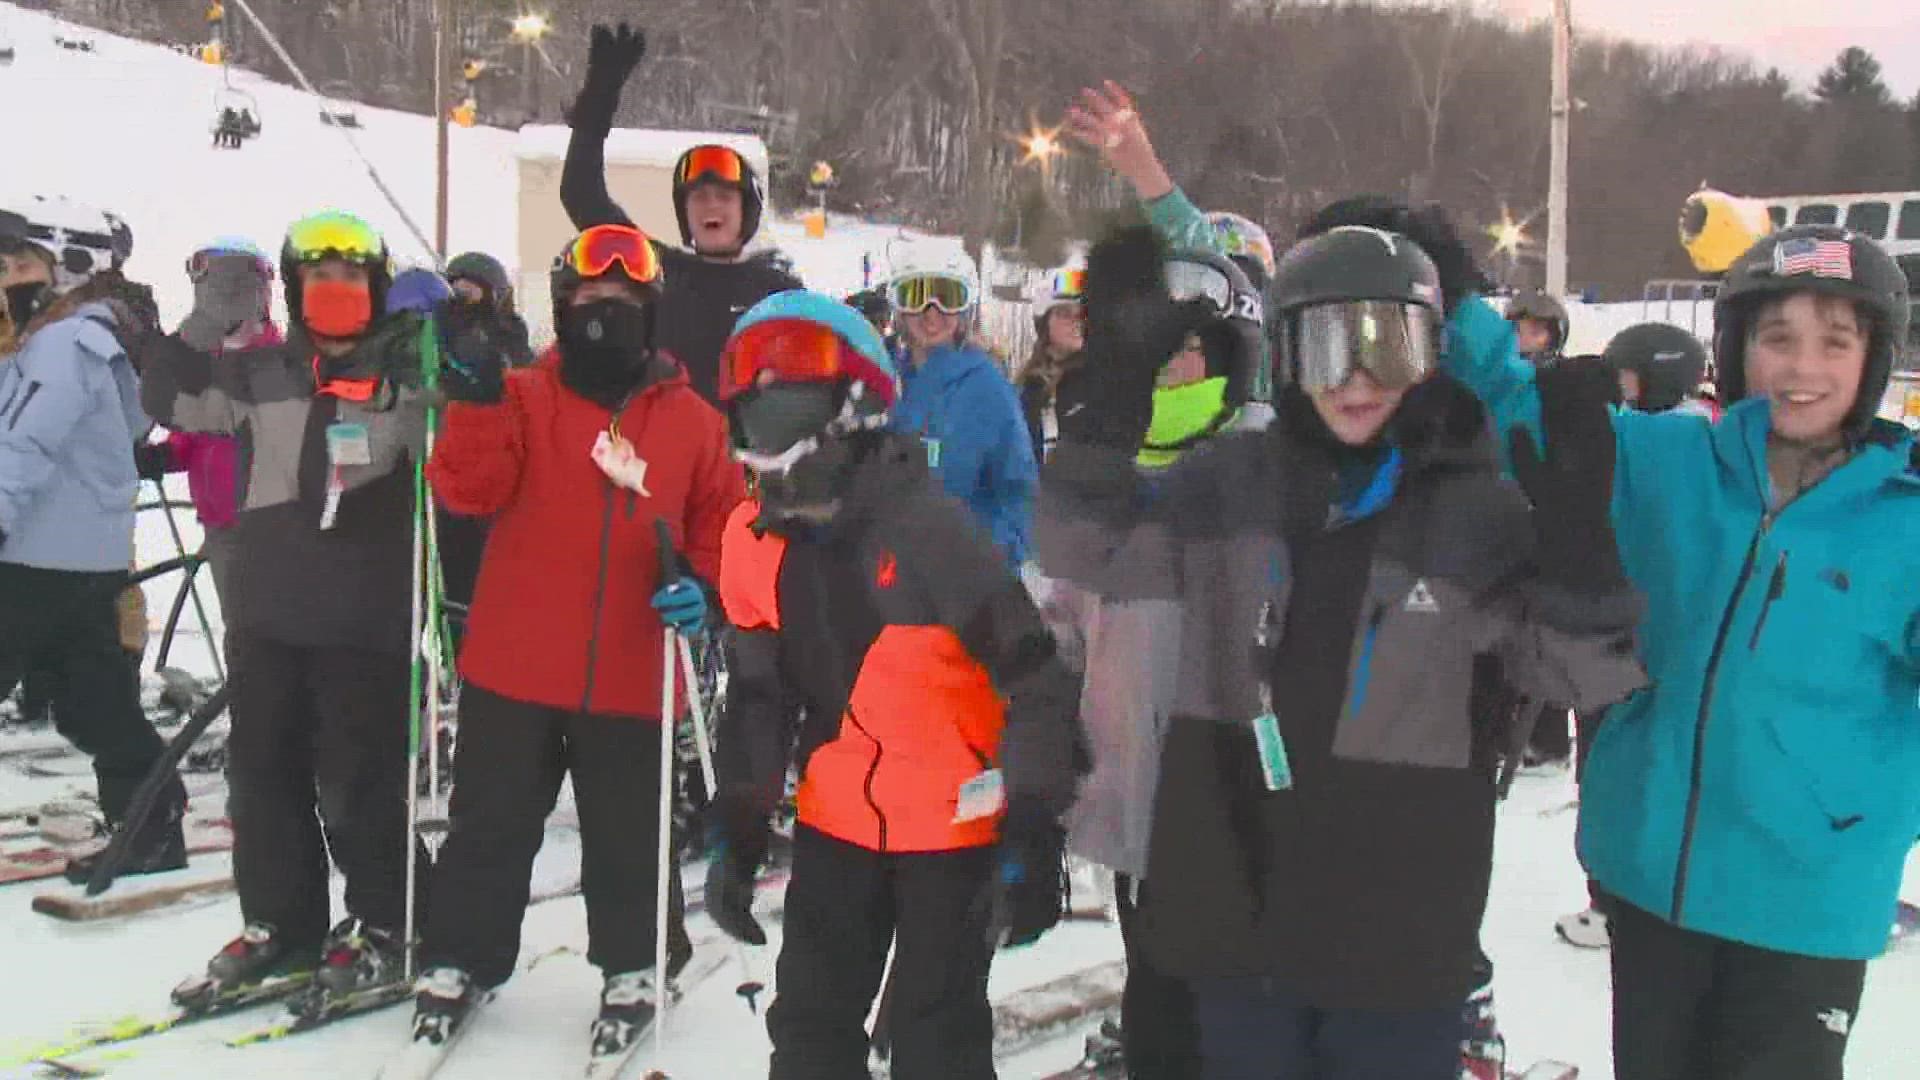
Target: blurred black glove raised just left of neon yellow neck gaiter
[(1134, 326)]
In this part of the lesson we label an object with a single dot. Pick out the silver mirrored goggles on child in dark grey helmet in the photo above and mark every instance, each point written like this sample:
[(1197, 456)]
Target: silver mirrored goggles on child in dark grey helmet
[(1397, 345)]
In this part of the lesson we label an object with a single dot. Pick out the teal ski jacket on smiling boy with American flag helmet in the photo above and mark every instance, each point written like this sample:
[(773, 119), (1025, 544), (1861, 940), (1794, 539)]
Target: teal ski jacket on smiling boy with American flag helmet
[(1765, 787)]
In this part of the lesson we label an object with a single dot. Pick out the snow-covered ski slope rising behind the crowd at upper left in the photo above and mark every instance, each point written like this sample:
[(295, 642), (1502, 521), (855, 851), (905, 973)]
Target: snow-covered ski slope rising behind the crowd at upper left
[(128, 128)]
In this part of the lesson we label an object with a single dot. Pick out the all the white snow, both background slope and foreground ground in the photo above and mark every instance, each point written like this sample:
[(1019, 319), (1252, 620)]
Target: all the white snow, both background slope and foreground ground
[(128, 128)]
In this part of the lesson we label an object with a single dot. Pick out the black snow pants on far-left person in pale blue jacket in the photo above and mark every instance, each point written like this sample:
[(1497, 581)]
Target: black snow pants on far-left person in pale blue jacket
[(64, 624)]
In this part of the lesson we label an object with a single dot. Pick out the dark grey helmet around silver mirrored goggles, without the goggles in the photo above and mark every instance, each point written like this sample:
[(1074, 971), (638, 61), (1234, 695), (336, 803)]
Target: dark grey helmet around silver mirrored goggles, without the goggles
[(1341, 266)]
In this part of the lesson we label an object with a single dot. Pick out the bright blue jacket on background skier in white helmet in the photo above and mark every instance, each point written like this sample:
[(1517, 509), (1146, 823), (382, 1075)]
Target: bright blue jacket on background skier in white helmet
[(969, 416)]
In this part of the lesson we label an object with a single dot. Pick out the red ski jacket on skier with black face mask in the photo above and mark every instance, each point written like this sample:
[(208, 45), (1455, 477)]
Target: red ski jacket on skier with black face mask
[(564, 614)]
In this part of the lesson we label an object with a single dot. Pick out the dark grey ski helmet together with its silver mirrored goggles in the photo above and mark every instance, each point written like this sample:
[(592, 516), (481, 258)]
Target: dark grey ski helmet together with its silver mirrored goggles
[(1355, 299)]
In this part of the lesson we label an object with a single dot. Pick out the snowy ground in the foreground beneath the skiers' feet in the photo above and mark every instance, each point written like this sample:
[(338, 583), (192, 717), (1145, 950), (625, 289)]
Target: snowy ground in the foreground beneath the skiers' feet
[(1552, 998)]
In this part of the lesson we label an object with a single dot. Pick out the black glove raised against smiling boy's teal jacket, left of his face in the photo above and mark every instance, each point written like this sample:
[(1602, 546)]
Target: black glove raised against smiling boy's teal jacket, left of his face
[(1572, 485)]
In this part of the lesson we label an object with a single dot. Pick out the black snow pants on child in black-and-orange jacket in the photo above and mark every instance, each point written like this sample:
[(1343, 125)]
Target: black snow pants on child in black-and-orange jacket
[(844, 906)]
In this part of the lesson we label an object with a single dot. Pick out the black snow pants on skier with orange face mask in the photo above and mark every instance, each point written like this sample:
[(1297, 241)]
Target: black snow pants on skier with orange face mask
[(318, 764)]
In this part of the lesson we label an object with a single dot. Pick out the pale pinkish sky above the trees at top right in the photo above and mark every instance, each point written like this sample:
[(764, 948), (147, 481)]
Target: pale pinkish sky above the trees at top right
[(1796, 36)]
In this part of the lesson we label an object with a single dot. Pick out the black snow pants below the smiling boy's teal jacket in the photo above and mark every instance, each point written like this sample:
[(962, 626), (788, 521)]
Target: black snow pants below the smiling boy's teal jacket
[(1698, 1008)]
